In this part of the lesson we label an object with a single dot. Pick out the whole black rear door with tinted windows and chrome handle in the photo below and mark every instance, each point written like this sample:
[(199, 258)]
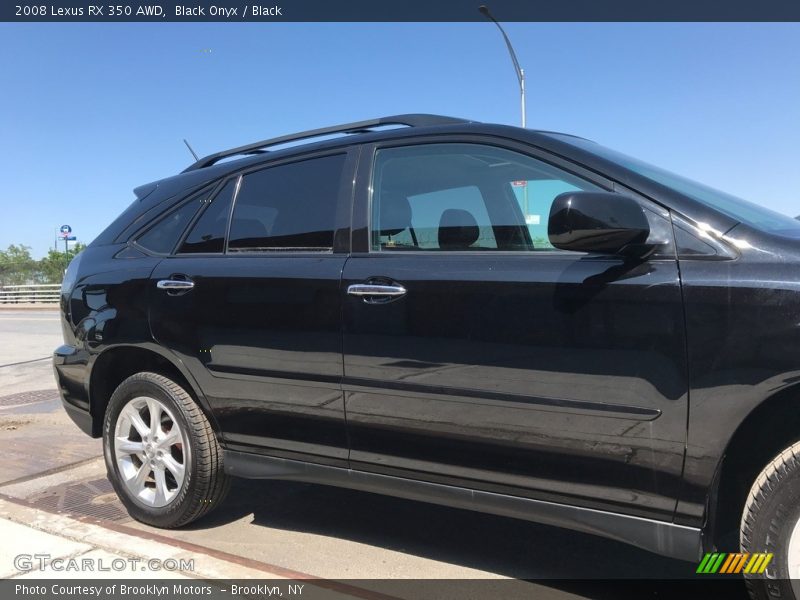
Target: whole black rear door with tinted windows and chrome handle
[(254, 309)]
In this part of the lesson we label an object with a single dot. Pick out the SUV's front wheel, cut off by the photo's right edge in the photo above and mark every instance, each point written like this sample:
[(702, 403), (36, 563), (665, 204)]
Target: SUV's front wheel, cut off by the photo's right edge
[(771, 524)]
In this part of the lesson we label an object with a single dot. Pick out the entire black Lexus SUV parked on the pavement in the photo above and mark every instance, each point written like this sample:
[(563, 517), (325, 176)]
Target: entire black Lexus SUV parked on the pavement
[(517, 322)]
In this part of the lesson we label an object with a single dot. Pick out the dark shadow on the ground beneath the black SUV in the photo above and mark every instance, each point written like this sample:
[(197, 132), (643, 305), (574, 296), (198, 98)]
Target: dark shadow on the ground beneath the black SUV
[(583, 564)]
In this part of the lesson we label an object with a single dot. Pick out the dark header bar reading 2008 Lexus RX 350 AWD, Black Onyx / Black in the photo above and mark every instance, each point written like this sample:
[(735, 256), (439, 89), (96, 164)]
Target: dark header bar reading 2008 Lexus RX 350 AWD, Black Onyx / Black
[(238, 11)]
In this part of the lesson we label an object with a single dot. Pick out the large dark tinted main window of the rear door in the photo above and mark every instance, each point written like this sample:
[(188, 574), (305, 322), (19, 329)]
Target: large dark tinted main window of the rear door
[(290, 207)]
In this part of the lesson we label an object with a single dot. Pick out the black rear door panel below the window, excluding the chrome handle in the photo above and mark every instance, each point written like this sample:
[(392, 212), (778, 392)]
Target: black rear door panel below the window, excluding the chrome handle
[(262, 337)]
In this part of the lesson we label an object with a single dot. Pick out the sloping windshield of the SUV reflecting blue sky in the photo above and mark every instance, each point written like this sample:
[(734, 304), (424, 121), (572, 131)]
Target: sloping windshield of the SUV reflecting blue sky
[(743, 211)]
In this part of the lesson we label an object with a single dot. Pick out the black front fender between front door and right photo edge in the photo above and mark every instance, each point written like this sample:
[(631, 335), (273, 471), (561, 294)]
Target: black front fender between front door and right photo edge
[(743, 323)]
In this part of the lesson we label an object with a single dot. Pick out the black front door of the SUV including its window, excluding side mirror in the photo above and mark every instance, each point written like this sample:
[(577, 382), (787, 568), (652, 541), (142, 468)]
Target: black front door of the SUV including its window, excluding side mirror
[(478, 355)]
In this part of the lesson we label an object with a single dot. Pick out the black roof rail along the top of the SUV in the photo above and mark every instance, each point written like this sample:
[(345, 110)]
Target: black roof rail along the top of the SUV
[(413, 120)]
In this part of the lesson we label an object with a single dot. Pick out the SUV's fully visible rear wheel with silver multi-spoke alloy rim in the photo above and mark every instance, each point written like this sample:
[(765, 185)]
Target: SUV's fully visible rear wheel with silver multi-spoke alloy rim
[(161, 453)]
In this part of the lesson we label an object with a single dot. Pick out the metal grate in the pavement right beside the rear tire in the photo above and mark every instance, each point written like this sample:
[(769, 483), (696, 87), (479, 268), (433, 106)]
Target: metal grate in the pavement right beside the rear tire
[(94, 498)]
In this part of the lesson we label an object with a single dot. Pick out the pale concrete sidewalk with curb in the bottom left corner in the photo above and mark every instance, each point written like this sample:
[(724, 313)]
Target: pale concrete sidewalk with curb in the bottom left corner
[(40, 545)]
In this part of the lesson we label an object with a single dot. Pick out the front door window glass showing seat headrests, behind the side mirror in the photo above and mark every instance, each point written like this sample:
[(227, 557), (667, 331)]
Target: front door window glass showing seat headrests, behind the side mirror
[(459, 197)]
